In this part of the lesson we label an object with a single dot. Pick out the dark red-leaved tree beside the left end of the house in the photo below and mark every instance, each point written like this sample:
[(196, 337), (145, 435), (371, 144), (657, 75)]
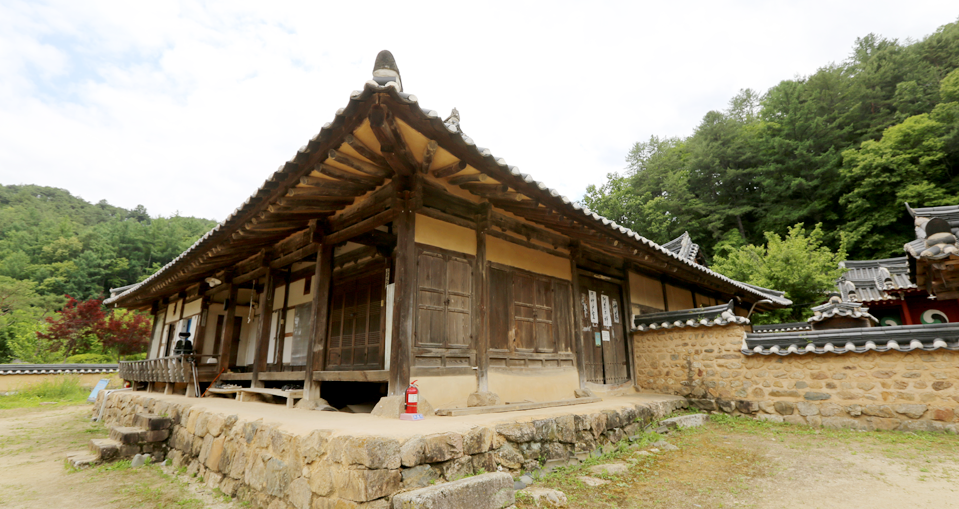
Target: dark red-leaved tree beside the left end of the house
[(80, 326)]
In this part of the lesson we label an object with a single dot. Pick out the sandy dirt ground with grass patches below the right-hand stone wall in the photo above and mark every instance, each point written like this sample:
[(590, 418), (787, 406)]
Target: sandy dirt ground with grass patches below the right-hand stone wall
[(745, 463)]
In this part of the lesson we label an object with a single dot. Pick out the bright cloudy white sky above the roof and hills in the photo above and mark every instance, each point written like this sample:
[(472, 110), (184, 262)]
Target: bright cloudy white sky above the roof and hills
[(187, 107)]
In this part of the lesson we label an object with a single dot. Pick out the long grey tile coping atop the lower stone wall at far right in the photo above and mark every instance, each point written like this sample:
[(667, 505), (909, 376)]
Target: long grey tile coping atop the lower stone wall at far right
[(903, 338)]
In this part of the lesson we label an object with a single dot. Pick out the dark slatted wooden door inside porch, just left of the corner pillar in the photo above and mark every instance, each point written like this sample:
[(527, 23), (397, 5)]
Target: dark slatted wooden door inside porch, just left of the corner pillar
[(356, 337)]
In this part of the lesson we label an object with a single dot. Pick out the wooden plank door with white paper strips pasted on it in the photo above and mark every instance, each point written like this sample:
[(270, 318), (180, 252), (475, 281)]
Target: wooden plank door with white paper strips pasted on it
[(604, 332)]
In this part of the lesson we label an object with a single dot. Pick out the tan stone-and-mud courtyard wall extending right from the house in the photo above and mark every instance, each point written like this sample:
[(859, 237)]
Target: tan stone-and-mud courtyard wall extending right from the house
[(891, 390)]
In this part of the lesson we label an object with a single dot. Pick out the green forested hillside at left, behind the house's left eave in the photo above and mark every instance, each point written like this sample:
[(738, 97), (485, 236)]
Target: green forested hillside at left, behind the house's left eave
[(54, 244)]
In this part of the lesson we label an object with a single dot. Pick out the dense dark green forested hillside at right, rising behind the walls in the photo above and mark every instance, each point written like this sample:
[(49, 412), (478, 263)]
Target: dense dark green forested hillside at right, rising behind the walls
[(846, 147)]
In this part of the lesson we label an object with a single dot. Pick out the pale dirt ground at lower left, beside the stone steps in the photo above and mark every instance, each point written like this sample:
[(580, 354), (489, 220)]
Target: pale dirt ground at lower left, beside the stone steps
[(34, 443)]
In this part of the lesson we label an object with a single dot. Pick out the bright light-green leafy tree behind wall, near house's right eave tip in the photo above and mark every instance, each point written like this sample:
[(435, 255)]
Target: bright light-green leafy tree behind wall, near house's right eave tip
[(798, 264)]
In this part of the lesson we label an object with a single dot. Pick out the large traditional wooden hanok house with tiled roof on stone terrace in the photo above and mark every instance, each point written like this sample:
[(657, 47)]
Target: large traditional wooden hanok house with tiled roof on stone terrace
[(392, 248)]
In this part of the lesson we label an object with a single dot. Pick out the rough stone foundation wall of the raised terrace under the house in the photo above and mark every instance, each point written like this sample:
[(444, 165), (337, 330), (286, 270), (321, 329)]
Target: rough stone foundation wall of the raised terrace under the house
[(263, 464)]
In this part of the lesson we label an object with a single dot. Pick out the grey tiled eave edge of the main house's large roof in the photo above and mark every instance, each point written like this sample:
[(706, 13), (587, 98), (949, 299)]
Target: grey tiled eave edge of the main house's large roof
[(496, 166)]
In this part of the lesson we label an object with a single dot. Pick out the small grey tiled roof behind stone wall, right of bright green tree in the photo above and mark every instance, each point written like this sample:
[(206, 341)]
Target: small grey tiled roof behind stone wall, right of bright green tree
[(872, 280)]
